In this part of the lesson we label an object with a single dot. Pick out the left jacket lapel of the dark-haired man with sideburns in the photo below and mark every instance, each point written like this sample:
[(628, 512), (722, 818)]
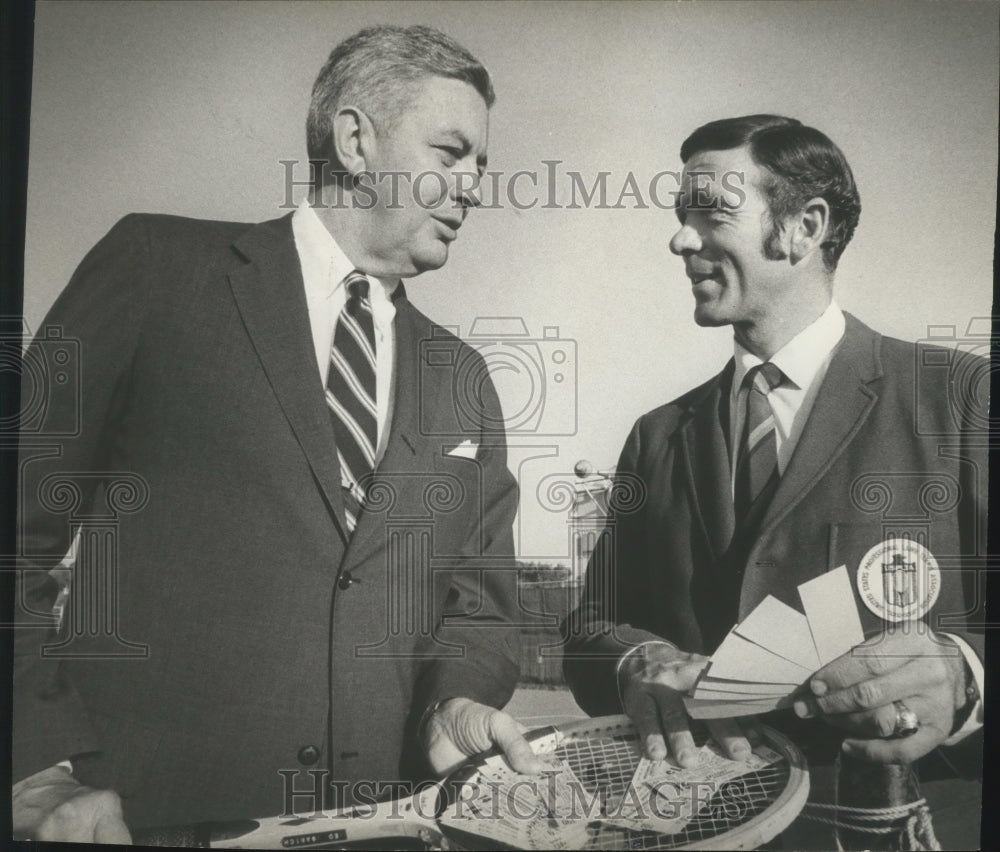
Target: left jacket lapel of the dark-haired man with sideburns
[(706, 447)]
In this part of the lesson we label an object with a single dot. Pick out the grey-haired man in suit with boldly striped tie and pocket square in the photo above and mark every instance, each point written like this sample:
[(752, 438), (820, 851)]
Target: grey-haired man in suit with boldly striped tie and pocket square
[(318, 569)]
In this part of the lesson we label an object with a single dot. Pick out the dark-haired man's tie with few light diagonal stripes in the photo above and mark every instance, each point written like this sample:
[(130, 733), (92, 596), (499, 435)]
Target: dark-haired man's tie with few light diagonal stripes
[(757, 462)]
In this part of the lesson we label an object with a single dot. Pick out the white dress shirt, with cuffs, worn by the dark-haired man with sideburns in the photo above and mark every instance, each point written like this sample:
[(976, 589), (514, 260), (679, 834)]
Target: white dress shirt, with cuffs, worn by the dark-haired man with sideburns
[(804, 361)]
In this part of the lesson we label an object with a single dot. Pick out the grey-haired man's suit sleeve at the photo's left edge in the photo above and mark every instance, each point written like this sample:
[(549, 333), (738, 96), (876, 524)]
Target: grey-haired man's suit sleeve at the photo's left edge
[(79, 362)]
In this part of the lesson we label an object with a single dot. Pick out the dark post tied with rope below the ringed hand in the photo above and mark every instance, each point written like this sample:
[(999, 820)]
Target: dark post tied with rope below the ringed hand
[(863, 784)]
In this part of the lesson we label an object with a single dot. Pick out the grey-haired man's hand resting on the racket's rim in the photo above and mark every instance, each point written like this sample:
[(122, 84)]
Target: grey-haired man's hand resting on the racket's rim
[(460, 728)]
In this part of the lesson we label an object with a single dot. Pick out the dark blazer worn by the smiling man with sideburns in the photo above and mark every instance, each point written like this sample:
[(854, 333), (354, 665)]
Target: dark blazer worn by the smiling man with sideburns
[(895, 444)]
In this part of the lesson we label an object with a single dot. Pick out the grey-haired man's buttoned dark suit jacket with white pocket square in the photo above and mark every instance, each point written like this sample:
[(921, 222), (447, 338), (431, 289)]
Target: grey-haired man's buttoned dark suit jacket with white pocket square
[(265, 631)]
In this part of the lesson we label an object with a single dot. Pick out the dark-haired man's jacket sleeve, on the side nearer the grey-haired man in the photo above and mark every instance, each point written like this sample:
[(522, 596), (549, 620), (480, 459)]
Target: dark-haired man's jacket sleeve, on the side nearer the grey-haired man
[(598, 632)]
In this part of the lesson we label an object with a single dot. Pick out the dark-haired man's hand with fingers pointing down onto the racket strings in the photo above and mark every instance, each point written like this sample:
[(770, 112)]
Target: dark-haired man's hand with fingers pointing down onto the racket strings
[(654, 680)]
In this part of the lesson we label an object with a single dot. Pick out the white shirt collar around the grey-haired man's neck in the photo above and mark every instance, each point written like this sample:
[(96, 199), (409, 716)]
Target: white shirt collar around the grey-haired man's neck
[(324, 264)]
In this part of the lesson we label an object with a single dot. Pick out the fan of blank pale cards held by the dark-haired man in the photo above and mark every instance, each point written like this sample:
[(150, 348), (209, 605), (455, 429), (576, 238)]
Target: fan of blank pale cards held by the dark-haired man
[(775, 649)]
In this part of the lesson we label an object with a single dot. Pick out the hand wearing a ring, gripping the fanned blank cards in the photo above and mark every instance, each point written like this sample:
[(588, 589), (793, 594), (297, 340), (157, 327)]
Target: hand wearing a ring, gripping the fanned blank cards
[(857, 690)]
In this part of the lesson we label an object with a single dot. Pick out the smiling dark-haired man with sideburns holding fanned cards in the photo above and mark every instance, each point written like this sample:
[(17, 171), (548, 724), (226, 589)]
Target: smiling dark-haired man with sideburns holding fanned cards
[(755, 481)]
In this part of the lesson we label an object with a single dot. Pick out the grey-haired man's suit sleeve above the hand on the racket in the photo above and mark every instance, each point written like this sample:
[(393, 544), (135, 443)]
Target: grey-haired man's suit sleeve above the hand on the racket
[(481, 613)]
